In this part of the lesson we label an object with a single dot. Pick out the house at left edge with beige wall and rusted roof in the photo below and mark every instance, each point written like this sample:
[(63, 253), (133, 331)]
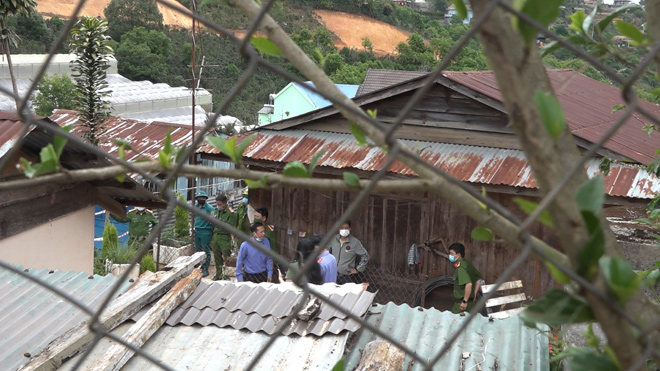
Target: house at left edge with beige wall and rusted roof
[(52, 225)]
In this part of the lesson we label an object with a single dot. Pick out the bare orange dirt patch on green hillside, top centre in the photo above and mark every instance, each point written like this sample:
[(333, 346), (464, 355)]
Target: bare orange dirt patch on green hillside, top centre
[(351, 28)]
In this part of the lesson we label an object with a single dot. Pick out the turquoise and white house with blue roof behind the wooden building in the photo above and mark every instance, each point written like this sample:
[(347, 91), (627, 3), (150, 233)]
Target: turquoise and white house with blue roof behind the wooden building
[(294, 99)]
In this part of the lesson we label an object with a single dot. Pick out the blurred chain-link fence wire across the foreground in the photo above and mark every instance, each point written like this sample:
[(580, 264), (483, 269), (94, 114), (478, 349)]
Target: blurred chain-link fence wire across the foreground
[(392, 286)]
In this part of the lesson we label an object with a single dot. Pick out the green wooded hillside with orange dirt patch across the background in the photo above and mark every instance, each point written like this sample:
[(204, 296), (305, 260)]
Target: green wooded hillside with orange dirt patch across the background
[(148, 49)]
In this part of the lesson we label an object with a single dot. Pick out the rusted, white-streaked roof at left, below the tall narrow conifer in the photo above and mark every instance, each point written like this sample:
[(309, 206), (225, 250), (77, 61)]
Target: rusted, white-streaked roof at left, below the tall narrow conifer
[(146, 138)]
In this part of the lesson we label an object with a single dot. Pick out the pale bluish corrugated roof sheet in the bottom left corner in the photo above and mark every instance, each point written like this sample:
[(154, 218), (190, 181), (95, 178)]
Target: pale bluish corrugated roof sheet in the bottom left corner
[(31, 316)]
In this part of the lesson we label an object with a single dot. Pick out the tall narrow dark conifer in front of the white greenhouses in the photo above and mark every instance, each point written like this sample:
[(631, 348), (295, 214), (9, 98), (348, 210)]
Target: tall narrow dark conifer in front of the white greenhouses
[(89, 42)]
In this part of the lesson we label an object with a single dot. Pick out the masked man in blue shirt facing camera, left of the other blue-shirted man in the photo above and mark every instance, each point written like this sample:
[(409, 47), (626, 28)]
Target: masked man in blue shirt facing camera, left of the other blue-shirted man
[(258, 266)]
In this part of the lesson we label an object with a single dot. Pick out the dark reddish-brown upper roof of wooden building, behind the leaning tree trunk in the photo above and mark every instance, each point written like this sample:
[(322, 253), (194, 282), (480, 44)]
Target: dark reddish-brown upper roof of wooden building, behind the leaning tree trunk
[(587, 105)]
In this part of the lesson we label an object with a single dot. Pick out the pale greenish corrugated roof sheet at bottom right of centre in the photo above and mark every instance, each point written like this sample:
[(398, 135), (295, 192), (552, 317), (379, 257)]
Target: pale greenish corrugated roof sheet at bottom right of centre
[(498, 345)]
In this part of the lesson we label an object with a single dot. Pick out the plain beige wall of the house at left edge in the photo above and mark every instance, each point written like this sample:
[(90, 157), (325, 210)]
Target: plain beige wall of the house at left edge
[(64, 243)]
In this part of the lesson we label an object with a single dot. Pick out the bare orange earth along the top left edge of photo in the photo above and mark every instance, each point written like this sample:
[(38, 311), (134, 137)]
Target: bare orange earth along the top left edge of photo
[(94, 8)]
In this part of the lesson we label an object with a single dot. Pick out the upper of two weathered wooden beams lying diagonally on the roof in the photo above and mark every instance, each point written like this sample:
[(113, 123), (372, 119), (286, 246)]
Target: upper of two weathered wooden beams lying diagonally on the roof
[(124, 307)]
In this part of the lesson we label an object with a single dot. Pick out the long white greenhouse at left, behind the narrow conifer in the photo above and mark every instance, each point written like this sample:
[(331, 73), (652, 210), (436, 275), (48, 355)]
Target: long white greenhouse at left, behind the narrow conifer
[(142, 100)]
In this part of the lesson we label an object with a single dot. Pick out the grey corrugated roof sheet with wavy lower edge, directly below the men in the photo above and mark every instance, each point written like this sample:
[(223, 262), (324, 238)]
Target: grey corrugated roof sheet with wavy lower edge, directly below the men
[(261, 307)]
